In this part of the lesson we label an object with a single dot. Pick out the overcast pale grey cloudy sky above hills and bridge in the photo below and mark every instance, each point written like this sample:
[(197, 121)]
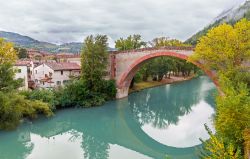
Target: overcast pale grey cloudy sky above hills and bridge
[(60, 21)]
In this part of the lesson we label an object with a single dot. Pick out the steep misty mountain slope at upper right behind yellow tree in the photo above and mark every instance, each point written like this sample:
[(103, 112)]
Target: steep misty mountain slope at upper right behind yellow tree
[(230, 16)]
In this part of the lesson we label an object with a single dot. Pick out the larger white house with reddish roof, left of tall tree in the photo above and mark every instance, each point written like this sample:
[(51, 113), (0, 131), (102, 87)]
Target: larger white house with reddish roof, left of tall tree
[(53, 74)]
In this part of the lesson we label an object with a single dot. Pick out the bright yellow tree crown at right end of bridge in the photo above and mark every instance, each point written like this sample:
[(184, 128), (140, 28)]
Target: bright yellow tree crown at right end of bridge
[(225, 47)]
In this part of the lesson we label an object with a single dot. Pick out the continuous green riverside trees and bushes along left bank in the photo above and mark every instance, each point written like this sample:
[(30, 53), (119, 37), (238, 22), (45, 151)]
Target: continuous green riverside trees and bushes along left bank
[(89, 90)]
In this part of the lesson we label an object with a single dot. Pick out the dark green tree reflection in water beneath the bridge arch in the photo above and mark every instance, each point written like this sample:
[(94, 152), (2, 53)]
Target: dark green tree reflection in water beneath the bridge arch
[(162, 107)]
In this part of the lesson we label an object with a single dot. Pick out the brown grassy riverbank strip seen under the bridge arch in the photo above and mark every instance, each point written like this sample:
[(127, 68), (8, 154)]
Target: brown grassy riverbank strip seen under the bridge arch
[(150, 84)]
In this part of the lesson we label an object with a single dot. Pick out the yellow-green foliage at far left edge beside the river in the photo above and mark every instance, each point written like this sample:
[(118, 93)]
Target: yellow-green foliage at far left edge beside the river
[(13, 106)]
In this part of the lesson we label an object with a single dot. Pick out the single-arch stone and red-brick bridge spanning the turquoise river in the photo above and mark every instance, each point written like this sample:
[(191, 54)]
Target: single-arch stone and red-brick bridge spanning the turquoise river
[(125, 64)]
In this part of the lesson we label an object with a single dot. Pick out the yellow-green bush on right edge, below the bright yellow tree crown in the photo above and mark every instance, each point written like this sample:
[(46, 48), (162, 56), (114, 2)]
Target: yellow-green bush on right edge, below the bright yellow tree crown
[(232, 113)]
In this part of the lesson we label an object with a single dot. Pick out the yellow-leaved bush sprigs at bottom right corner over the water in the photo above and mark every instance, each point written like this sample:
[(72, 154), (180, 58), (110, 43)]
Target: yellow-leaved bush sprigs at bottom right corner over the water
[(215, 148)]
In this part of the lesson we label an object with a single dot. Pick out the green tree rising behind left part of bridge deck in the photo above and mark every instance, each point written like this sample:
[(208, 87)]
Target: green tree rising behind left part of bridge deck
[(132, 42)]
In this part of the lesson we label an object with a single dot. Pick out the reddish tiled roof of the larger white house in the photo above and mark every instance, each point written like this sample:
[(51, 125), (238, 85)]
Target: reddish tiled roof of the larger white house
[(63, 66)]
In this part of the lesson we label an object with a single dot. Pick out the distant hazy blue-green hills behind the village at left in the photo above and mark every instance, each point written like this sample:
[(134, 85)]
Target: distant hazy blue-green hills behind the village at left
[(30, 43)]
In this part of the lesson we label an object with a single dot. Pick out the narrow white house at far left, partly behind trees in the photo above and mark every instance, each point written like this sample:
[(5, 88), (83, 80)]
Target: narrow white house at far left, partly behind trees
[(24, 70)]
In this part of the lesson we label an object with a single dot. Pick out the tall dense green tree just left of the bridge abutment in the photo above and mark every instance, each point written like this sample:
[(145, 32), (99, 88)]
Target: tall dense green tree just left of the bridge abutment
[(94, 60)]
